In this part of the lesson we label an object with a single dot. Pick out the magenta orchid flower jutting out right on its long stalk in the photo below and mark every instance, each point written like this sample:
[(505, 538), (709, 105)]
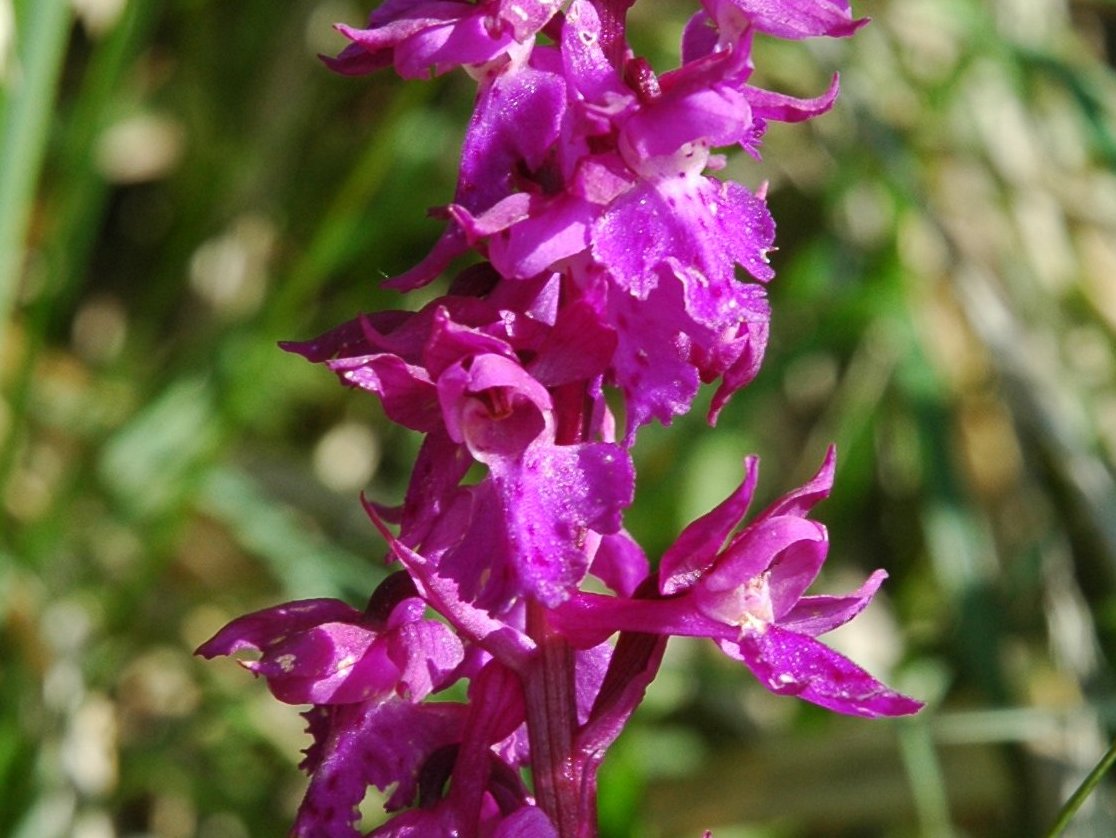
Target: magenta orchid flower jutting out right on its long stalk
[(749, 598)]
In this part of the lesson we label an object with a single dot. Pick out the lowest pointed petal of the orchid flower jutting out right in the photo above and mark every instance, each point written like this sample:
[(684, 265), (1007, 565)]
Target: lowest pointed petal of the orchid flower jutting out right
[(793, 664)]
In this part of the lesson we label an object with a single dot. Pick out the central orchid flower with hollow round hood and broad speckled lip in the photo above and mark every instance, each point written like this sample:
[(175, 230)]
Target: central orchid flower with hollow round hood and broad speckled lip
[(521, 532)]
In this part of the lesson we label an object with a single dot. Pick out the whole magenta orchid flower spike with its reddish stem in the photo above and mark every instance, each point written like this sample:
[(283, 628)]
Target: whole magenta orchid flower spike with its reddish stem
[(608, 262)]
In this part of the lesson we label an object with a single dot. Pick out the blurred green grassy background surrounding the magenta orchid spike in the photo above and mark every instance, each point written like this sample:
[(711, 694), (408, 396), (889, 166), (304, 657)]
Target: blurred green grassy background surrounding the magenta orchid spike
[(182, 185)]
